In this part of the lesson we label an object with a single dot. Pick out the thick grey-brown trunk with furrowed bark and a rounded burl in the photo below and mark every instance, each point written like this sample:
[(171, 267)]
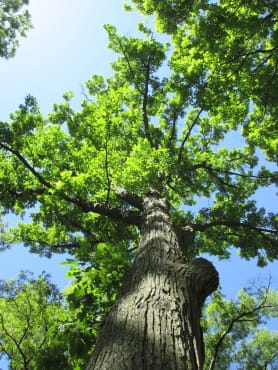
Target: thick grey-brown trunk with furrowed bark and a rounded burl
[(155, 323)]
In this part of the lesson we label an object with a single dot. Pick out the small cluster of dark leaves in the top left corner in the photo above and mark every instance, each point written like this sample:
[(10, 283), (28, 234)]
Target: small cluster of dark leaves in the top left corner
[(14, 22)]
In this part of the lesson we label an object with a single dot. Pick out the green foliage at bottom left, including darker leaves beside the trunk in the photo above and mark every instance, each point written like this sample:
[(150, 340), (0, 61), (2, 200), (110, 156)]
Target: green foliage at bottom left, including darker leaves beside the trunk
[(39, 329)]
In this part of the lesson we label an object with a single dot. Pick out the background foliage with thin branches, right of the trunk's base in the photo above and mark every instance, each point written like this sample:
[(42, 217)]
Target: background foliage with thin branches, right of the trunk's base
[(234, 334)]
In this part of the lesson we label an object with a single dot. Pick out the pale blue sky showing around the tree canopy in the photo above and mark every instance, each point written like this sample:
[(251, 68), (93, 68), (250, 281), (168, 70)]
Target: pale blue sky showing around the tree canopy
[(66, 46)]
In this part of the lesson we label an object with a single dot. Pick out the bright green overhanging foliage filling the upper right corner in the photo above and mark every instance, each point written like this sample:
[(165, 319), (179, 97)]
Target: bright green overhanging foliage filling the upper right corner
[(229, 49)]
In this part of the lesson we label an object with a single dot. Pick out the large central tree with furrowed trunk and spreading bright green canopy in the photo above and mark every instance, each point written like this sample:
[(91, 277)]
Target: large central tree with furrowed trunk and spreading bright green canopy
[(148, 144)]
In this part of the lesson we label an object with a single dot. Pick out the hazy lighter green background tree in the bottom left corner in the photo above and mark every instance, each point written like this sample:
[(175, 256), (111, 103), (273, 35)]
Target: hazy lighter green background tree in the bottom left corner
[(30, 312)]
